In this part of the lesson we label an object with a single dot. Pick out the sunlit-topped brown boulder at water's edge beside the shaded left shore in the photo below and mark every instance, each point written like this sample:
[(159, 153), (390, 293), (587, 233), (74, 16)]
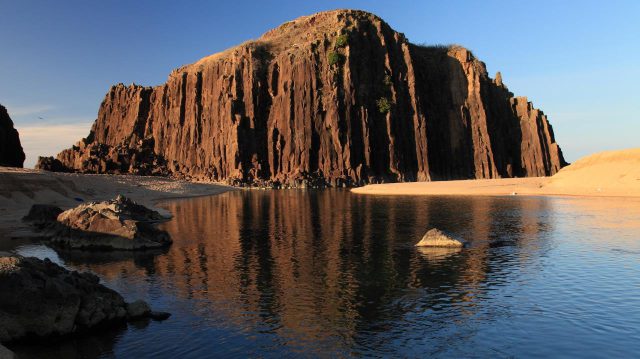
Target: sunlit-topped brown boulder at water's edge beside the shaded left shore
[(120, 224)]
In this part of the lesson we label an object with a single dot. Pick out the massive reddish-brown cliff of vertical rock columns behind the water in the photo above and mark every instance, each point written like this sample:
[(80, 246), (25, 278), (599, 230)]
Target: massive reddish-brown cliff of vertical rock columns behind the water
[(336, 98)]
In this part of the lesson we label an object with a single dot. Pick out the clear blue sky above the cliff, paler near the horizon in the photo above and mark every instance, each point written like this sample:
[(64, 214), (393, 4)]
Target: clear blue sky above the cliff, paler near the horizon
[(576, 60)]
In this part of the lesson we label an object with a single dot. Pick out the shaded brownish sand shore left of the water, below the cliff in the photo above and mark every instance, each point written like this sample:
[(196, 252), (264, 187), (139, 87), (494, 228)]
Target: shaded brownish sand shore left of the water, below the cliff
[(20, 188)]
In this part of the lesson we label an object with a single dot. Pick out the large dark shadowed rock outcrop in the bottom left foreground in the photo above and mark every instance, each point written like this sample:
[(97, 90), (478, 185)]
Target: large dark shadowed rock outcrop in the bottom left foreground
[(40, 299)]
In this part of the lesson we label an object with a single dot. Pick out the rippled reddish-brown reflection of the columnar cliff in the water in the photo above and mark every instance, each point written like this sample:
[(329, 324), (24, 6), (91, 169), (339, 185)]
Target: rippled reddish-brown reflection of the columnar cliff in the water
[(317, 267)]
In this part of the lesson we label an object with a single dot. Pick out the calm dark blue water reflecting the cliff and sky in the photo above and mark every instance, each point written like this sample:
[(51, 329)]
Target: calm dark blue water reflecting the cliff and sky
[(328, 273)]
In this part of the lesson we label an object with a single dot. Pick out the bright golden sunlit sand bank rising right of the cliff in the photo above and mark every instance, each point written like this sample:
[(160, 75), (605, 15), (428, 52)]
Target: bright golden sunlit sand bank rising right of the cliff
[(611, 173)]
